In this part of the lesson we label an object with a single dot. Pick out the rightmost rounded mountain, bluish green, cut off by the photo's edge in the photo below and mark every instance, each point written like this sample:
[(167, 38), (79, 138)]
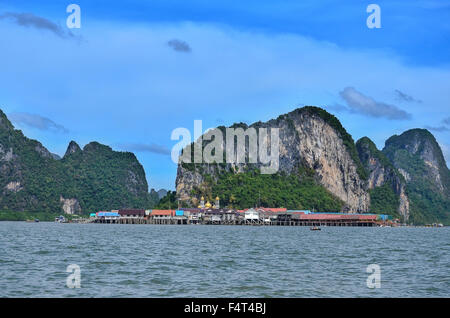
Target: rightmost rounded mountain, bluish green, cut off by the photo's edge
[(418, 157)]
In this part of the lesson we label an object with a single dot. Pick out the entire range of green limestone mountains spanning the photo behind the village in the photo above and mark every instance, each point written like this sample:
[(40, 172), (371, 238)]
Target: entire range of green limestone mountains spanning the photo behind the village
[(320, 168)]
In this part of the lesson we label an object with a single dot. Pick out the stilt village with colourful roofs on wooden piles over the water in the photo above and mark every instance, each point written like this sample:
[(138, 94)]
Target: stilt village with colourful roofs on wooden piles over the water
[(249, 217)]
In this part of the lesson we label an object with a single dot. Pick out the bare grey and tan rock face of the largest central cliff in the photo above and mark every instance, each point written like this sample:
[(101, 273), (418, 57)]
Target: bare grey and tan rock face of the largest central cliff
[(309, 138)]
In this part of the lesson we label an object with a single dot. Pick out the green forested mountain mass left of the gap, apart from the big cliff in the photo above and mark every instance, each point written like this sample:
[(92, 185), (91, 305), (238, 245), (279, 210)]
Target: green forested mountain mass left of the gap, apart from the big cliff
[(84, 180)]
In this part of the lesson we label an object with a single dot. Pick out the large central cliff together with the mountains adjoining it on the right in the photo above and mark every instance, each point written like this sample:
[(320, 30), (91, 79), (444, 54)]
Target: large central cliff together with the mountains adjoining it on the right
[(322, 168)]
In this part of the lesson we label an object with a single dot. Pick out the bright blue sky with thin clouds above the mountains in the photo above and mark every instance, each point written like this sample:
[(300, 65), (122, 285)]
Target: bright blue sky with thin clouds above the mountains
[(136, 70)]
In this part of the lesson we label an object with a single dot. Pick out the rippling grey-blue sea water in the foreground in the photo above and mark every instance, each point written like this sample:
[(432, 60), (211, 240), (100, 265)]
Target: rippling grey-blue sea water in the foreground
[(221, 261)]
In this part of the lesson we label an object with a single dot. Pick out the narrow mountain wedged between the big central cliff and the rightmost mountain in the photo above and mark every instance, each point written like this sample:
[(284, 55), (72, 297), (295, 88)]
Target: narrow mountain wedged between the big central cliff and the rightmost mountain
[(384, 181)]
